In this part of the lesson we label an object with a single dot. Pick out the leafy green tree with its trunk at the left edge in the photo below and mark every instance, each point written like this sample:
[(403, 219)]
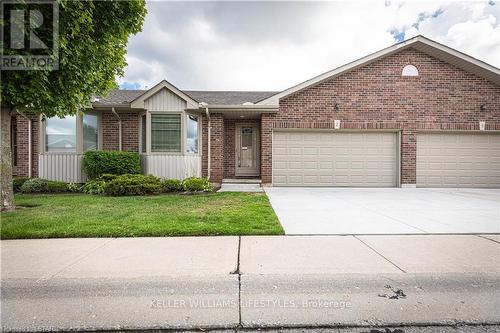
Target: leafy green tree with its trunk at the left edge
[(92, 41)]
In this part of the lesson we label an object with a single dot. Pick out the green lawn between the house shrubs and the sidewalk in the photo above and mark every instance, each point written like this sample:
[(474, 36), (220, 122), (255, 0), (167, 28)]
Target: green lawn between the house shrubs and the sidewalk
[(79, 215)]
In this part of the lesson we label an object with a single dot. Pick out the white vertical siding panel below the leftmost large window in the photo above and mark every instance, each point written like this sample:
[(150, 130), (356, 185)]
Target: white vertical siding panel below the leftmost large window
[(62, 167)]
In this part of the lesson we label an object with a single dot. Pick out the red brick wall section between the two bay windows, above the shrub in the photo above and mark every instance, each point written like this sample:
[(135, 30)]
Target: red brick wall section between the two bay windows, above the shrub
[(130, 131)]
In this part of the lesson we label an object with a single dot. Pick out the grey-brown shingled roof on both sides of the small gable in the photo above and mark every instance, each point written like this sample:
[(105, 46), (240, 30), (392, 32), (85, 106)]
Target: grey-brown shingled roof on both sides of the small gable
[(209, 97)]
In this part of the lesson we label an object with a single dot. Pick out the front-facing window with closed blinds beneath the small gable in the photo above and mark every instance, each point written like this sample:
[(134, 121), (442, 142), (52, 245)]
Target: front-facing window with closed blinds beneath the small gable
[(166, 133)]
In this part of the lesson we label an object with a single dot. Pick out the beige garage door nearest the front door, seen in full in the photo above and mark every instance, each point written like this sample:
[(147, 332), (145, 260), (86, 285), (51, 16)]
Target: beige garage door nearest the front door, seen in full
[(334, 159)]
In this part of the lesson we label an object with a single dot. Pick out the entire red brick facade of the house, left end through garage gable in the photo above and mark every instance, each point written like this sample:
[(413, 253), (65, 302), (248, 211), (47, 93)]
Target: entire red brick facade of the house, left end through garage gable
[(375, 96)]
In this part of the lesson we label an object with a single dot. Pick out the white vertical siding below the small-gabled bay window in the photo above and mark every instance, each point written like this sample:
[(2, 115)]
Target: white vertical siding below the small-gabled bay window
[(172, 166)]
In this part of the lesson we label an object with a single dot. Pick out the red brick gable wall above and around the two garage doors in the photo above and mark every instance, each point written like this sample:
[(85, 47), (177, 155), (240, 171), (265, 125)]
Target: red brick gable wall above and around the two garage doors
[(377, 96)]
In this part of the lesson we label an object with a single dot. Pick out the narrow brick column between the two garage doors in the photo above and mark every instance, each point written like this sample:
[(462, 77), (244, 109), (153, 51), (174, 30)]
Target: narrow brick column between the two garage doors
[(408, 156)]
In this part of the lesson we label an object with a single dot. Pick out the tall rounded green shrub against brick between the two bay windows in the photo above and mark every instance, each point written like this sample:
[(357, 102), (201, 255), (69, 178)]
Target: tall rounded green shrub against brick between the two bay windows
[(98, 163)]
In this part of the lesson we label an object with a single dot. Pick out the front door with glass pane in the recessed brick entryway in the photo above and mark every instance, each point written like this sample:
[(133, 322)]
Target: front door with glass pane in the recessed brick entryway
[(247, 150)]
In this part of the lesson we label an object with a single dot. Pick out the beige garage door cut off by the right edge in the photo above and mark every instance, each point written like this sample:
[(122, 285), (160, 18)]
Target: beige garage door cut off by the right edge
[(458, 160)]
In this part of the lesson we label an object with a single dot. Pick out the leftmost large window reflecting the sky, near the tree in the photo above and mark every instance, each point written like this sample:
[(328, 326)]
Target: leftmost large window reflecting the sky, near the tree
[(60, 134)]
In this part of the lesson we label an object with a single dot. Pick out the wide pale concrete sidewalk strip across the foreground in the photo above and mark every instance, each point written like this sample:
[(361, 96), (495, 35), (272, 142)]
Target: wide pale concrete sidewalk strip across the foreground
[(224, 282)]
